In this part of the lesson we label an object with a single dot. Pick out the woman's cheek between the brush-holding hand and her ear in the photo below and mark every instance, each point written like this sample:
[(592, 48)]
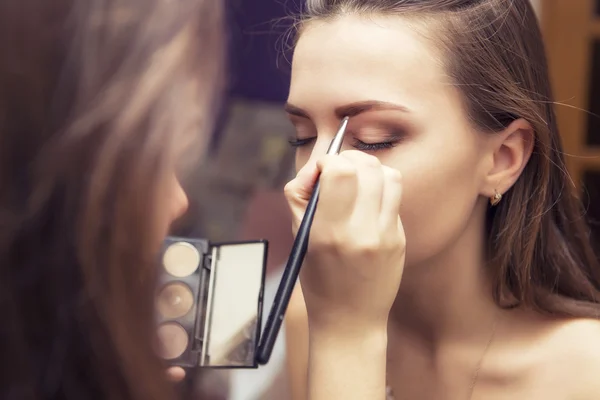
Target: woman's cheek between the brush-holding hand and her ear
[(439, 196)]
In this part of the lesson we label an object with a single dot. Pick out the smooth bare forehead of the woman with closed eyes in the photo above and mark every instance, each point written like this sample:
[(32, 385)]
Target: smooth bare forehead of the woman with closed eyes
[(353, 58)]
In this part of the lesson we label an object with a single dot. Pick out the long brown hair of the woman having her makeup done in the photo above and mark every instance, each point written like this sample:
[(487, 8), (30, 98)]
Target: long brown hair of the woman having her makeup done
[(540, 251)]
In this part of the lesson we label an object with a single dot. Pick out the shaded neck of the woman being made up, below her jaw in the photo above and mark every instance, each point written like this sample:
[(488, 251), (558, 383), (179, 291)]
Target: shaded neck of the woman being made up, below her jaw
[(448, 298)]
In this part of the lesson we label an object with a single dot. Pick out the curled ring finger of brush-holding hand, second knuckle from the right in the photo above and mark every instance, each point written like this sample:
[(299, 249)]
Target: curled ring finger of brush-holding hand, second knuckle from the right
[(370, 186)]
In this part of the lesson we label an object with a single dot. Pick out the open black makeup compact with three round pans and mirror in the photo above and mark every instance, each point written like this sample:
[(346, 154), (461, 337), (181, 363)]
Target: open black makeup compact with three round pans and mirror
[(209, 302)]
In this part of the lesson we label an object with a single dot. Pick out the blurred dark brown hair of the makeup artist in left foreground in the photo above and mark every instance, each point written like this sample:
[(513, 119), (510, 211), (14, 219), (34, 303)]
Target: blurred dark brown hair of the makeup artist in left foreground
[(97, 98)]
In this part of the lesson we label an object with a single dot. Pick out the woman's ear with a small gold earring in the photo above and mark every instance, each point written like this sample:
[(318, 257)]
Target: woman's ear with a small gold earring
[(511, 150)]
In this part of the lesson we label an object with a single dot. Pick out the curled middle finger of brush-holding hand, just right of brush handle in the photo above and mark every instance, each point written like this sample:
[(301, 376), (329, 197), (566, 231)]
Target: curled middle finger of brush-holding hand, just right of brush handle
[(338, 188)]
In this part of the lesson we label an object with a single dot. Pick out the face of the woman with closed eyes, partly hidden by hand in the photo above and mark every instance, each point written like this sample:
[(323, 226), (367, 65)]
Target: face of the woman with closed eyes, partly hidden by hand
[(403, 109)]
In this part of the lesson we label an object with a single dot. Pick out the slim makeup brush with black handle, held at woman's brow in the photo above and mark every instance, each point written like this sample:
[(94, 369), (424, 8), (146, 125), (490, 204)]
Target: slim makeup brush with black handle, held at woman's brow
[(295, 260)]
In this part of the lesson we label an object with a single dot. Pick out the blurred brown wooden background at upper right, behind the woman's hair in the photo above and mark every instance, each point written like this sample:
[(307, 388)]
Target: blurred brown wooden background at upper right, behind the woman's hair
[(572, 33)]
